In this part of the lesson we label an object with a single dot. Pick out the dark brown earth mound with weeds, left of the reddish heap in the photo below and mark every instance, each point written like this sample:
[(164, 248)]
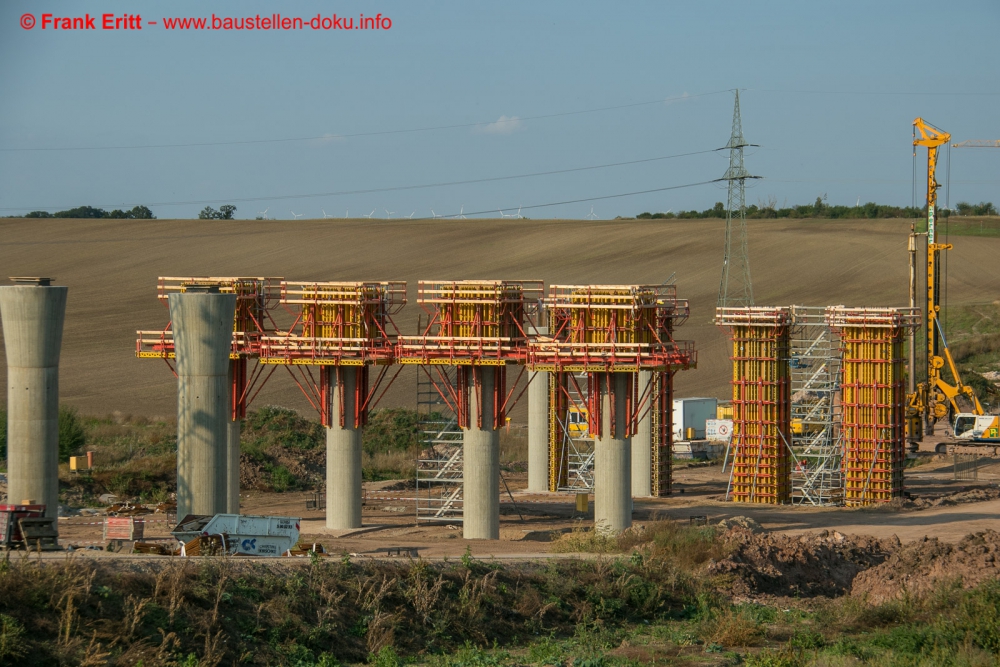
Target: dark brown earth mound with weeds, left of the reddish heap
[(821, 564)]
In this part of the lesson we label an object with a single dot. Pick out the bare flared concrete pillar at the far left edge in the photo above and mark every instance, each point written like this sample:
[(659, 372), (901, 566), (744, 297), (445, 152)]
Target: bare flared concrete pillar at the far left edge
[(32, 316)]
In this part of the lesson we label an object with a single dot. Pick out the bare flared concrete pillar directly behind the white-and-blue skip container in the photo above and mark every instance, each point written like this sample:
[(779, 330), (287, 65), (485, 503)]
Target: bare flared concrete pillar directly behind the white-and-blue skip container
[(203, 333)]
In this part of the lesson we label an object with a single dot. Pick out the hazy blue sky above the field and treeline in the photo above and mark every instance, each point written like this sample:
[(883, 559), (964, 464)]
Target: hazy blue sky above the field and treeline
[(829, 91)]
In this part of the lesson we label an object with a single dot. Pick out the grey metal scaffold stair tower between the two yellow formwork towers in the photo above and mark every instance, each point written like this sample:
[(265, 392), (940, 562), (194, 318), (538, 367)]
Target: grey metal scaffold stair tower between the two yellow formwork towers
[(816, 445)]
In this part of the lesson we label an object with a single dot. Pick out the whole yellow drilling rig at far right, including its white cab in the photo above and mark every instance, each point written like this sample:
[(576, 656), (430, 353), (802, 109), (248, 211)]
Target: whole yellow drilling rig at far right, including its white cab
[(933, 398)]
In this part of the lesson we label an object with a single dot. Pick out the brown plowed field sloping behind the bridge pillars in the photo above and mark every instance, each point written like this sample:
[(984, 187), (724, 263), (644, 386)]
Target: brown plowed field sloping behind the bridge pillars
[(111, 268)]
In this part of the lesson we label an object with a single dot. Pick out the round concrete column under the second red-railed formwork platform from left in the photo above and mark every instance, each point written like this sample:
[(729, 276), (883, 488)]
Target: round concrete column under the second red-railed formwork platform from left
[(343, 455)]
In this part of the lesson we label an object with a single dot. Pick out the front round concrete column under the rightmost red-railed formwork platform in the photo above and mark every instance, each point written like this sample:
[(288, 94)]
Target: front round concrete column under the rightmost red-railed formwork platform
[(612, 464)]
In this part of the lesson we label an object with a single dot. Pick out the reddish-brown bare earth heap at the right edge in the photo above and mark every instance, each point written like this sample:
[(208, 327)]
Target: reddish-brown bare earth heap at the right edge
[(921, 565)]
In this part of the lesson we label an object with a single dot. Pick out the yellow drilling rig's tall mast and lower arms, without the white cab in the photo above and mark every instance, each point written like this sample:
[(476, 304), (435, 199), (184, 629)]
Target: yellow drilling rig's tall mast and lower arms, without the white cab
[(929, 400)]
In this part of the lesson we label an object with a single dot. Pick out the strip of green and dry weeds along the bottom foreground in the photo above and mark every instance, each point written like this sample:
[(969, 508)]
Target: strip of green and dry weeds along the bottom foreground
[(650, 603)]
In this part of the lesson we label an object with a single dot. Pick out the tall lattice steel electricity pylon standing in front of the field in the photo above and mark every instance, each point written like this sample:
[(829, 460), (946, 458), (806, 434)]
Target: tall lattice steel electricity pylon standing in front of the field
[(736, 288)]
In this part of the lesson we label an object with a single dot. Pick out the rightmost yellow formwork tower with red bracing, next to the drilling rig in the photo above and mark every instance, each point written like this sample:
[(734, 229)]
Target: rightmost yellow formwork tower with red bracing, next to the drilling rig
[(874, 399)]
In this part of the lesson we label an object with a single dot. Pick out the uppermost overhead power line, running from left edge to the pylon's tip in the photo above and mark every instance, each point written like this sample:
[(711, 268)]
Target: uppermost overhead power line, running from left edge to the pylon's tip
[(327, 137)]
